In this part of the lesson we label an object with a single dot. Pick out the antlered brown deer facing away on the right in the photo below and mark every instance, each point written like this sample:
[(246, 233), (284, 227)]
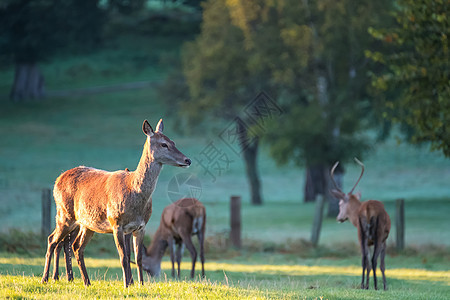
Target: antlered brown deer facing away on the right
[(373, 224)]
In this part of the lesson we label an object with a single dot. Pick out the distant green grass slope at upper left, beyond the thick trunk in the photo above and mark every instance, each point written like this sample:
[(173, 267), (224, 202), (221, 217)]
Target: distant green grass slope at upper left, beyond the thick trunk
[(120, 59)]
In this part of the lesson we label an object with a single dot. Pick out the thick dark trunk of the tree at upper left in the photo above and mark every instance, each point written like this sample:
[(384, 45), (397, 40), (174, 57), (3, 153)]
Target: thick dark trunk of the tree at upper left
[(28, 82)]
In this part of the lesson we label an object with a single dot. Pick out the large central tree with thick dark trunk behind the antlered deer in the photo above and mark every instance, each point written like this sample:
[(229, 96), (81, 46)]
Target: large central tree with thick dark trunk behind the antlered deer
[(312, 55)]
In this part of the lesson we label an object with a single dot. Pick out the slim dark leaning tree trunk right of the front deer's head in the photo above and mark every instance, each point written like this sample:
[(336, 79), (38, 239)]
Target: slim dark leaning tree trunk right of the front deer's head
[(249, 148)]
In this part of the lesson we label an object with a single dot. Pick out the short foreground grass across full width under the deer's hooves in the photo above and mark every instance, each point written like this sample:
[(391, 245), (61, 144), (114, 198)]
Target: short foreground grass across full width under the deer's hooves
[(261, 276)]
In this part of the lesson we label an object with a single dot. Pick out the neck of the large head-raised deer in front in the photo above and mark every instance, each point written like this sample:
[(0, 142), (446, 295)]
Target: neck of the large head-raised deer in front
[(147, 172)]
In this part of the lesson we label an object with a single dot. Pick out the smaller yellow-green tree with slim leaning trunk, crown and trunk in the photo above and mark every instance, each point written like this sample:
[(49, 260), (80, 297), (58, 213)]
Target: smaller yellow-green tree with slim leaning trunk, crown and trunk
[(220, 80)]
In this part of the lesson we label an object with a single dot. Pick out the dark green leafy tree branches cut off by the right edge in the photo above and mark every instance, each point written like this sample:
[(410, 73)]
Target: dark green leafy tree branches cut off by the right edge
[(414, 84)]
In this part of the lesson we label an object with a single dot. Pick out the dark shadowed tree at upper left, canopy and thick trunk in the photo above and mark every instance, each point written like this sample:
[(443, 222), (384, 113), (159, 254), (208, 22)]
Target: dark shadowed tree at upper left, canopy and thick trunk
[(32, 31)]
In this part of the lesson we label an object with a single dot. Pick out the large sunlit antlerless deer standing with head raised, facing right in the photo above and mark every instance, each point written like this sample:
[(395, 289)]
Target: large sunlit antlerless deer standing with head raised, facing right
[(89, 200)]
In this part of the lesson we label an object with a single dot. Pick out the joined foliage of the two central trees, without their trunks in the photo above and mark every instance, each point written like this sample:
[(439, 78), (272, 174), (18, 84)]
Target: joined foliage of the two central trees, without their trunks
[(286, 48)]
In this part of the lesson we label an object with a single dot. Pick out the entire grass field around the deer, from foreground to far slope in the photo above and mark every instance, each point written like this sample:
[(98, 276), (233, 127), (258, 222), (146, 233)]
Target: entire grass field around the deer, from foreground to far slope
[(39, 140)]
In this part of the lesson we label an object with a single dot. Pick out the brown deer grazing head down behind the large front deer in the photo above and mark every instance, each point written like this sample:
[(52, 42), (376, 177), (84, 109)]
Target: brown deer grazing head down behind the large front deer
[(179, 221)]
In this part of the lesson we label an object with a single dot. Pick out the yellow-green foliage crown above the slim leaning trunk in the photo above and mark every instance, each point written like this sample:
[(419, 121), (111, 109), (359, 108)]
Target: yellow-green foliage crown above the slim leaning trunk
[(214, 65)]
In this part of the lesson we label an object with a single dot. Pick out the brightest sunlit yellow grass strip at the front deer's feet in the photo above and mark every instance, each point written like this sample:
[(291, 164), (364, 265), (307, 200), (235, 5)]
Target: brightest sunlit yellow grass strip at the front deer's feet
[(30, 287)]
